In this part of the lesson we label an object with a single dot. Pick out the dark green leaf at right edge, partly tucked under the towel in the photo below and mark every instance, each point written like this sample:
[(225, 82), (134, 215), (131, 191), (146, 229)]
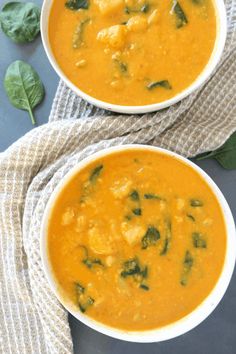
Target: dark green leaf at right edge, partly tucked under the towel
[(225, 155)]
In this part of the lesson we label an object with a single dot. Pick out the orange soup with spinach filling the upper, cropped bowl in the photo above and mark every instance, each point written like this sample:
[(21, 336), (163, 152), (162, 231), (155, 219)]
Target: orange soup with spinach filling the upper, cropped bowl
[(132, 52)]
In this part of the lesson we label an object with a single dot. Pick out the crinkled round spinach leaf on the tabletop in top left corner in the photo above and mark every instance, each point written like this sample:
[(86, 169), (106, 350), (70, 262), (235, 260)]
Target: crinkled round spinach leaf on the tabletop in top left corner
[(20, 21)]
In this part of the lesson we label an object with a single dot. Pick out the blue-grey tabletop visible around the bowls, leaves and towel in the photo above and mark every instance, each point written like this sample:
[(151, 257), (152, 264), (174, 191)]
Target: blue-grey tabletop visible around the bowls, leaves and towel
[(217, 334)]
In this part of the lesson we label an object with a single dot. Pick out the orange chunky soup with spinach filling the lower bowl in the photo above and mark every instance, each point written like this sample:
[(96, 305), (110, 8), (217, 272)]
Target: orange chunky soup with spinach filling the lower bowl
[(136, 240)]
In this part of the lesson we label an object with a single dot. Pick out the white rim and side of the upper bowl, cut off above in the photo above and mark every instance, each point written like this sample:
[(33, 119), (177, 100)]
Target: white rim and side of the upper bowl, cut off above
[(214, 59)]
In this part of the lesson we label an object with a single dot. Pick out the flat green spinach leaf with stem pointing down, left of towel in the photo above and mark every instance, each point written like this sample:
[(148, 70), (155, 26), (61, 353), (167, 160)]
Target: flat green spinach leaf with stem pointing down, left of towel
[(23, 87)]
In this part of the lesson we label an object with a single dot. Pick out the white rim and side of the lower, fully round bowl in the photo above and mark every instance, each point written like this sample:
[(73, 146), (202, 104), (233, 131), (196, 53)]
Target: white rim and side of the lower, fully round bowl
[(176, 328)]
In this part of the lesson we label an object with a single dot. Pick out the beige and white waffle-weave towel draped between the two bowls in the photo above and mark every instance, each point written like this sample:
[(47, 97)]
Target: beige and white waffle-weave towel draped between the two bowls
[(31, 319)]
